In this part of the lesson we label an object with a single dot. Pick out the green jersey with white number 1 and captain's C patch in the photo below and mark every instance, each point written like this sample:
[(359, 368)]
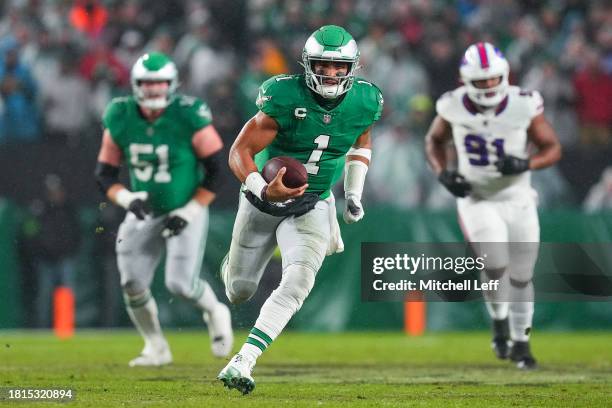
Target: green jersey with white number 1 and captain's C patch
[(312, 134)]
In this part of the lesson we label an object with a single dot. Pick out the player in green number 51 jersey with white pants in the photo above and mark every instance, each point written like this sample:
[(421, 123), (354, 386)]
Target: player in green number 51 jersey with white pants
[(163, 137)]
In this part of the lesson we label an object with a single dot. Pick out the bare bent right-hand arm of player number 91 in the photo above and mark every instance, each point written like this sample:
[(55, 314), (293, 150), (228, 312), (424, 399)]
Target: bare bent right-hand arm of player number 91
[(545, 139)]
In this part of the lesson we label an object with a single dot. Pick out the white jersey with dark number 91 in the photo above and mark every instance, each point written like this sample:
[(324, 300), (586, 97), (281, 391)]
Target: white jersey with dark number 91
[(482, 138)]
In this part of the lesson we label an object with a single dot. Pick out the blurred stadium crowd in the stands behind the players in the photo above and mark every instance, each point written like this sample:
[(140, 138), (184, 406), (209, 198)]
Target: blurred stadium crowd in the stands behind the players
[(61, 62)]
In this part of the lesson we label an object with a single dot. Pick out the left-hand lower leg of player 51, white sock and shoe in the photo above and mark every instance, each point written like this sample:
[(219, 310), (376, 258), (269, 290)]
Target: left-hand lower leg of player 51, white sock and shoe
[(142, 310)]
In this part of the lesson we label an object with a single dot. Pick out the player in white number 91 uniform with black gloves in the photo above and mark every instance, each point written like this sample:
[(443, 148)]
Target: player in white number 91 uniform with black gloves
[(493, 126)]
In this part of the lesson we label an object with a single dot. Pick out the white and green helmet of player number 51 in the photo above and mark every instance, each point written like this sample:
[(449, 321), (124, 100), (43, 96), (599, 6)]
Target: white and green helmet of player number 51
[(154, 66)]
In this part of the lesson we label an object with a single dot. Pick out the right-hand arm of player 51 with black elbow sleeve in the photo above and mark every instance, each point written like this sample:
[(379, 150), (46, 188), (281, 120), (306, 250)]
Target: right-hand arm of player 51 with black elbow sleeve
[(208, 147)]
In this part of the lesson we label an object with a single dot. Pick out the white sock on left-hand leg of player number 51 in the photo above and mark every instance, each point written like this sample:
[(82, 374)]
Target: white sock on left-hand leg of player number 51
[(142, 310)]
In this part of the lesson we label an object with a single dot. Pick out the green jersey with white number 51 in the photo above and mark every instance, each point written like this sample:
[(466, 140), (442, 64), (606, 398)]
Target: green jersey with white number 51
[(159, 154)]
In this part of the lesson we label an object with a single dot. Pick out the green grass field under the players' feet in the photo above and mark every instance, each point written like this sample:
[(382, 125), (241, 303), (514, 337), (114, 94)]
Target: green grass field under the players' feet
[(376, 369)]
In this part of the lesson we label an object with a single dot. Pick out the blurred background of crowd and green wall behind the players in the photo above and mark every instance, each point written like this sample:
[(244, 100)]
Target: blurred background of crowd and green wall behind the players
[(70, 65)]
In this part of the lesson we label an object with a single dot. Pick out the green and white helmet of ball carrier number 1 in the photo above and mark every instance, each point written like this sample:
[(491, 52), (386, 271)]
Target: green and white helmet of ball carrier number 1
[(330, 43)]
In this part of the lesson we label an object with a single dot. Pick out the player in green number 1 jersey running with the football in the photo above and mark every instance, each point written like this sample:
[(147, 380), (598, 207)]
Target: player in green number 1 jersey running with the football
[(323, 119)]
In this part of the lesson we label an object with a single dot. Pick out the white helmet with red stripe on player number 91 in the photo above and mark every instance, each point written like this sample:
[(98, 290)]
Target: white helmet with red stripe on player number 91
[(484, 61)]
